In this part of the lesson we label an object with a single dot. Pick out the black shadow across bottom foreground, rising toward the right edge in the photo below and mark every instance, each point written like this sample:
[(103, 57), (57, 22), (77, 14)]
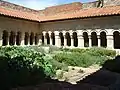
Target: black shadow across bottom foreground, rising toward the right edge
[(107, 78)]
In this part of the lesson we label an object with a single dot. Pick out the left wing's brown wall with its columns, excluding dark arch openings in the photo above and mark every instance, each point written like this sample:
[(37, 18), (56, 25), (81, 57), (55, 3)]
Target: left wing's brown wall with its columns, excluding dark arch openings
[(18, 25)]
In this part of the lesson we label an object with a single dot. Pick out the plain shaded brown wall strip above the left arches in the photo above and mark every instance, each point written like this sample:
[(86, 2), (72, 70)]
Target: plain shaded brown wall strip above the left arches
[(7, 23)]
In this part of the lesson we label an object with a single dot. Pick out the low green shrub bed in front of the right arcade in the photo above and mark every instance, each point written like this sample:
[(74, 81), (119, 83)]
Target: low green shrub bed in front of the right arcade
[(84, 57)]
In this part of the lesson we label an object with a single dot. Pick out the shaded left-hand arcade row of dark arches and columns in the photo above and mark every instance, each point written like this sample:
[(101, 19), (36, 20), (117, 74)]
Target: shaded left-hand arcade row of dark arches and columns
[(15, 38)]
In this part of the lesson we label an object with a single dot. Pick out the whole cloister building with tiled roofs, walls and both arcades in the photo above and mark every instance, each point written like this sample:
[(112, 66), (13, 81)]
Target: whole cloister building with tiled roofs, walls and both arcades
[(70, 25)]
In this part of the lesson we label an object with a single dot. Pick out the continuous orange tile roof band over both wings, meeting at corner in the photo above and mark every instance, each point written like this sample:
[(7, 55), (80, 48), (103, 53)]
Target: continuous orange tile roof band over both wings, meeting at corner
[(83, 13)]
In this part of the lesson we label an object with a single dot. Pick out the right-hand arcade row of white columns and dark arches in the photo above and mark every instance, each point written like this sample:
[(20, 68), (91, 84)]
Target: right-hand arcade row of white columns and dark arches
[(82, 39)]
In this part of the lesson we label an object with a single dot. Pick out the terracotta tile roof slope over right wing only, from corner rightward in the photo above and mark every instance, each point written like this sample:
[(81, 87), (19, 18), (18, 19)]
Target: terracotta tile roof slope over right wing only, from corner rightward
[(92, 12)]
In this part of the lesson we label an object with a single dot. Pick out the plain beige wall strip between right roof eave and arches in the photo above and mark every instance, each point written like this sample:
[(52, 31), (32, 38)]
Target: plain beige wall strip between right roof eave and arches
[(83, 24)]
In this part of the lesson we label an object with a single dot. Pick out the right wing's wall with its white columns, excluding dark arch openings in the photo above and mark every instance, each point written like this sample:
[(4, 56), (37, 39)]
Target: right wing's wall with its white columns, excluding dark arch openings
[(98, 25)]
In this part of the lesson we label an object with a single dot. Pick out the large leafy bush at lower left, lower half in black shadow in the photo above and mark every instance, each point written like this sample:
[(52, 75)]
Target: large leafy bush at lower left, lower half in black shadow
[(21, 66)]
